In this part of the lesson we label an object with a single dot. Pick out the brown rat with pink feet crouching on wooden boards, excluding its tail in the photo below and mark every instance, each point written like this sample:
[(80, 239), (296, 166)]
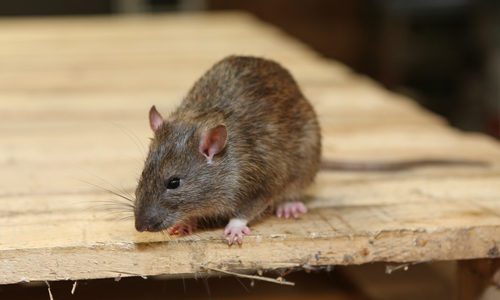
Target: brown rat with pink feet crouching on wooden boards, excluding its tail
[(243, 140)]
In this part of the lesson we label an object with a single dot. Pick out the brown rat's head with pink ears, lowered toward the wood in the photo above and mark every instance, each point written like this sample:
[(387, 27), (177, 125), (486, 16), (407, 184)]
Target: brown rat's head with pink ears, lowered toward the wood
[(179, 173)]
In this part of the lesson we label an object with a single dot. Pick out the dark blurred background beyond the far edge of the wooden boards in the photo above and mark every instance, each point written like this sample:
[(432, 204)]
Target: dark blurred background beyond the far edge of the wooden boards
[(444, 54)]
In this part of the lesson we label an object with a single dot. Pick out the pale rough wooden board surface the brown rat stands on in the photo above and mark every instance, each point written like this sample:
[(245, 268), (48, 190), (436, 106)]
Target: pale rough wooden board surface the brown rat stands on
[(74, 96)]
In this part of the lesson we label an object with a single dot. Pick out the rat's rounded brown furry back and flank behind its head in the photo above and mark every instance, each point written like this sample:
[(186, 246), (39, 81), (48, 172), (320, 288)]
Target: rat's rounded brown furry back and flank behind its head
[(273, 133)]
